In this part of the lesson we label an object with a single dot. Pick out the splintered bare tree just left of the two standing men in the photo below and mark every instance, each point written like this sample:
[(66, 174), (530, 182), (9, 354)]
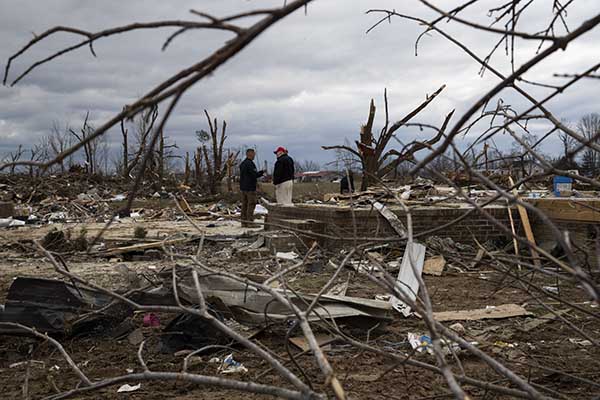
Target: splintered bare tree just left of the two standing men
[(215, 167)]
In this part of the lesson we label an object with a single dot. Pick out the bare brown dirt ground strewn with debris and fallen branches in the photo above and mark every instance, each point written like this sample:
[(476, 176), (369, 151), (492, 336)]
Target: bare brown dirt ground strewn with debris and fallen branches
[(534, 355)]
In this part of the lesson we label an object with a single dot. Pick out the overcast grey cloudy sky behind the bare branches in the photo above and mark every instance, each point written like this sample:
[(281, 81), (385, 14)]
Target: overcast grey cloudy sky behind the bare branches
[(306, 82)]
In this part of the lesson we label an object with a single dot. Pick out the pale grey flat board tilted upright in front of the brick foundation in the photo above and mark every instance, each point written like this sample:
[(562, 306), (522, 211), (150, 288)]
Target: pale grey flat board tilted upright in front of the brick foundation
[(407, 282)]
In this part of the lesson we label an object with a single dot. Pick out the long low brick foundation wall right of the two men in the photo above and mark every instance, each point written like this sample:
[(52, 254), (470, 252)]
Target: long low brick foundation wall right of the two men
[(338, 221)]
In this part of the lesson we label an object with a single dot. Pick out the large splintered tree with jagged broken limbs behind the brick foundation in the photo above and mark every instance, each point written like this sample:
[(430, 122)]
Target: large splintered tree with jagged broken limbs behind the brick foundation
[(375, 160)]
